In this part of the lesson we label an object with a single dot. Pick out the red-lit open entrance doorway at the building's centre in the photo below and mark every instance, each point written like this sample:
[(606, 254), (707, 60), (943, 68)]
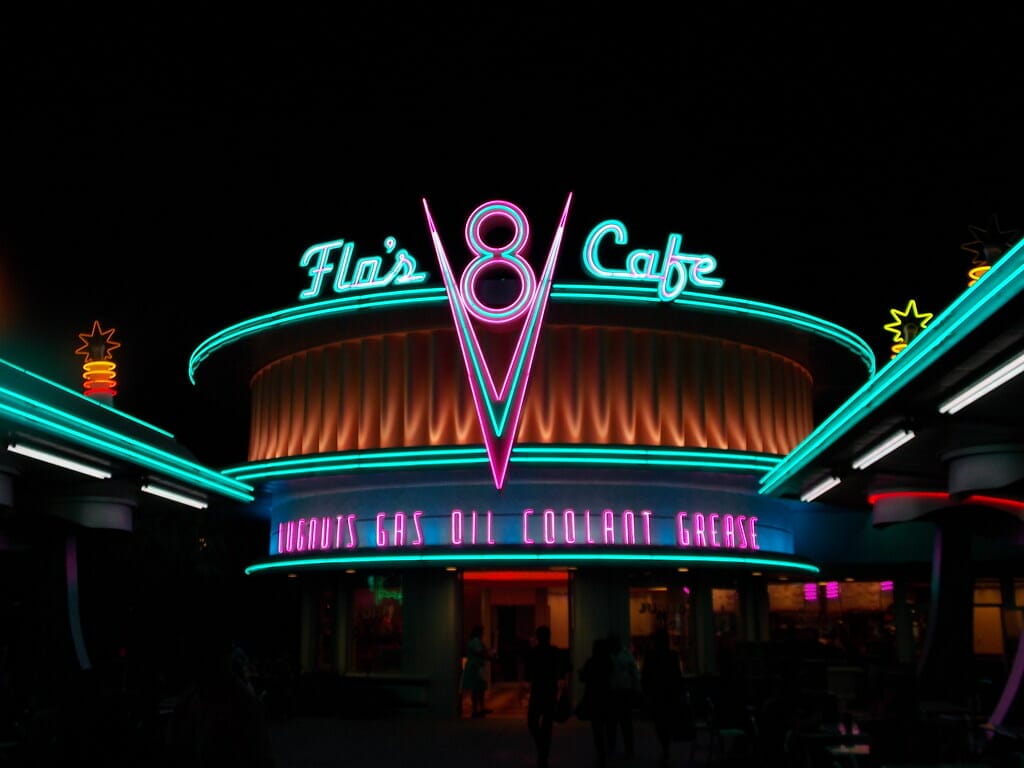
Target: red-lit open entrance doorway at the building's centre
[(510, 606)]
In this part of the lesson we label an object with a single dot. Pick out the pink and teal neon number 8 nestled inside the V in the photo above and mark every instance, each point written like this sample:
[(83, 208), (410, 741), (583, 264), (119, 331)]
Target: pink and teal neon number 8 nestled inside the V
[(508, 257)]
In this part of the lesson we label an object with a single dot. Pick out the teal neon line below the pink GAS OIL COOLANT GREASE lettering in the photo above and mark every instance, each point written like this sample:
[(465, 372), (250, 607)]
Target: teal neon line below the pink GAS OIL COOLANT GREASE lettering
[(488, 560)]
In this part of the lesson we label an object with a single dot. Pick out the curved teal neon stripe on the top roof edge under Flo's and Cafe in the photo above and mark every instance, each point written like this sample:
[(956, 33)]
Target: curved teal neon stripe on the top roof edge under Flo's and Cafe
[(406, 297)]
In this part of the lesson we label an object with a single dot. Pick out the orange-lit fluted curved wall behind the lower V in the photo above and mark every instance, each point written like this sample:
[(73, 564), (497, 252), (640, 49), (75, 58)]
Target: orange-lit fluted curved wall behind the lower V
[(610, 387)]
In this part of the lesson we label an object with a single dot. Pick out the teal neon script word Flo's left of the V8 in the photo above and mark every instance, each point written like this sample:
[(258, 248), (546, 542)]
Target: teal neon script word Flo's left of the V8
[(365, 275)]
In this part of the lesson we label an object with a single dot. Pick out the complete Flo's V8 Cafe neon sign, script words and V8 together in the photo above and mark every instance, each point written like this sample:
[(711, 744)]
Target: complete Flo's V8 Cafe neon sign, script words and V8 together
[(499, 388)]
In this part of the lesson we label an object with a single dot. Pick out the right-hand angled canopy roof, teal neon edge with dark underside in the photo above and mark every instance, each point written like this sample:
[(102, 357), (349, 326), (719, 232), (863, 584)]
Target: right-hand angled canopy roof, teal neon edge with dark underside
[(977, 335)]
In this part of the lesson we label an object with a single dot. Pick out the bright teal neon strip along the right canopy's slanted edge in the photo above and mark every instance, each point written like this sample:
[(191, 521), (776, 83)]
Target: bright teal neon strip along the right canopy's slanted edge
[(979, 303)]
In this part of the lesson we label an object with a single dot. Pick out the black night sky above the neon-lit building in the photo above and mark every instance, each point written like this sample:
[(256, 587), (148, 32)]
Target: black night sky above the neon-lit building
[(164, 172)]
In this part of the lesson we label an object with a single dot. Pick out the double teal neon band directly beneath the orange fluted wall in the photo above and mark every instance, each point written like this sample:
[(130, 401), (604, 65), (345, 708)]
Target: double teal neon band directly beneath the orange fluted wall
[(432, 458)]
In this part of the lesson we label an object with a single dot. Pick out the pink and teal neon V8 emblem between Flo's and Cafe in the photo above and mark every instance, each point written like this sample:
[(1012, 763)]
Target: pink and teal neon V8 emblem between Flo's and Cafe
[(498, 408)]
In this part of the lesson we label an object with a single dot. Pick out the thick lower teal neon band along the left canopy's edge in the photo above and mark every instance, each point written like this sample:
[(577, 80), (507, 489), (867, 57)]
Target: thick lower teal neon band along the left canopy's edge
[(65, 425)]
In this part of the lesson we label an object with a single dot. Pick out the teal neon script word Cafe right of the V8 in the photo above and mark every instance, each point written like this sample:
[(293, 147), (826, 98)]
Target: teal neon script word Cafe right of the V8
[(673, 274)]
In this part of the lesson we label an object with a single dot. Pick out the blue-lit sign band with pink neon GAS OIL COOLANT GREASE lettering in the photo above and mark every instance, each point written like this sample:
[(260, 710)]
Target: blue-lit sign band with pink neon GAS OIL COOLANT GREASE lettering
[(534, 527)]
